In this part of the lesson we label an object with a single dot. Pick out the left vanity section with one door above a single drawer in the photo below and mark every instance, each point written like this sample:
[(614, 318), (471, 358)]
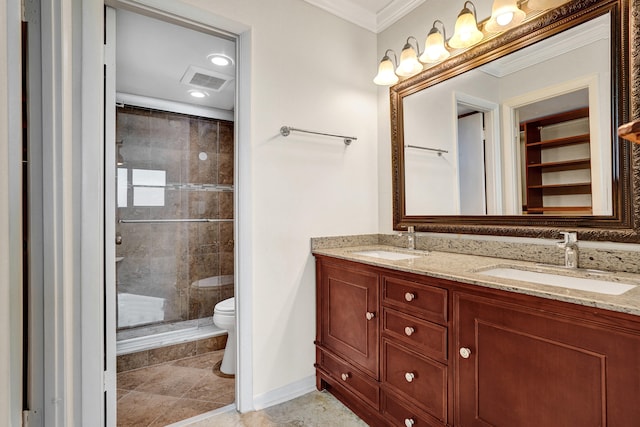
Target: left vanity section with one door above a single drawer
[(347, 335)]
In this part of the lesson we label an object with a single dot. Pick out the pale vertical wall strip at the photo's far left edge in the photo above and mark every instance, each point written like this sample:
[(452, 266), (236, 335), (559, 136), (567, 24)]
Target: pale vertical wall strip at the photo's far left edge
[(10, 216)]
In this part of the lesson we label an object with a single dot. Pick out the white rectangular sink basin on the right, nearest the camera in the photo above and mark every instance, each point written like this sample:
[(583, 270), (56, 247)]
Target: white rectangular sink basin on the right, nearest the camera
[(581, 283)]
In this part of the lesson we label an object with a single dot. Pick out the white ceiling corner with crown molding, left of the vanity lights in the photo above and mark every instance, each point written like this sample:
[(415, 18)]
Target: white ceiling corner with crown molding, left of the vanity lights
[(374, 15)]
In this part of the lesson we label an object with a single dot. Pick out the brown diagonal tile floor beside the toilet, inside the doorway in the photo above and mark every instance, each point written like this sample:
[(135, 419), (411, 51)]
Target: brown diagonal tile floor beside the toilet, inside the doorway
[(162, 394)]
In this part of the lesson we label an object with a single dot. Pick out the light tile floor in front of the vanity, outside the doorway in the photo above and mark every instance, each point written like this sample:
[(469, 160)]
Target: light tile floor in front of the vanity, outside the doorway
[(316, 409)]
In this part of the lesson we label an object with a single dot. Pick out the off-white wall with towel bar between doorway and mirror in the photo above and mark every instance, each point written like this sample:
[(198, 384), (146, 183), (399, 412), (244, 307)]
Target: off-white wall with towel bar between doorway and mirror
[(310, 70)]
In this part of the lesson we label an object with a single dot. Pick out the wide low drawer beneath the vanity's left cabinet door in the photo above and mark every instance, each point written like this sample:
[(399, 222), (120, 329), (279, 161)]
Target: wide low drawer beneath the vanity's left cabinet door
[(353, 380)]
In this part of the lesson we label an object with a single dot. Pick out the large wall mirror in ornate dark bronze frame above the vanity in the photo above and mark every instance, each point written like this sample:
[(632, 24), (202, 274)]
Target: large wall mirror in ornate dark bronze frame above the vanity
[(518, 134)]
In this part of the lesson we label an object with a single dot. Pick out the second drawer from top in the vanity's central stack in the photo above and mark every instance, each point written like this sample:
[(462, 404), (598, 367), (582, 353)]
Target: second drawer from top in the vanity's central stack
[(427, 338)]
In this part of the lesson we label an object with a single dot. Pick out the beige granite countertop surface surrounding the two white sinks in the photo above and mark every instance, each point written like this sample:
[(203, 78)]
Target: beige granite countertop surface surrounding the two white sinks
[(467, 268)]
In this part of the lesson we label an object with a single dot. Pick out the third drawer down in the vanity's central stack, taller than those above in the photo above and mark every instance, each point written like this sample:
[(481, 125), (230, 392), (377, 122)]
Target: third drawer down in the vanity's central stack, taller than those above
[(421, 381)]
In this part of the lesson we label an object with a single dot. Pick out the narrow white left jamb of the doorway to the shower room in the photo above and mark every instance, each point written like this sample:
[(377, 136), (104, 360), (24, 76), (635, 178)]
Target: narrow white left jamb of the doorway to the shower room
[(110, 217)]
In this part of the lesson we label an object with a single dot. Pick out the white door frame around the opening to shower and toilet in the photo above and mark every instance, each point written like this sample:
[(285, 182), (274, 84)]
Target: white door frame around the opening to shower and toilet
[(195, 18)]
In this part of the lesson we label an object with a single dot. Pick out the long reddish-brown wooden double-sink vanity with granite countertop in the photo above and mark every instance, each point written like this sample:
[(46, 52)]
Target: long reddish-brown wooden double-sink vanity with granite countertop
[(430, 341)]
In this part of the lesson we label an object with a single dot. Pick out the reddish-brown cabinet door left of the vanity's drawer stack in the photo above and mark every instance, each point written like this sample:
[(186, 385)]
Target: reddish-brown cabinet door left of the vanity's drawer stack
[(349, 321)]
